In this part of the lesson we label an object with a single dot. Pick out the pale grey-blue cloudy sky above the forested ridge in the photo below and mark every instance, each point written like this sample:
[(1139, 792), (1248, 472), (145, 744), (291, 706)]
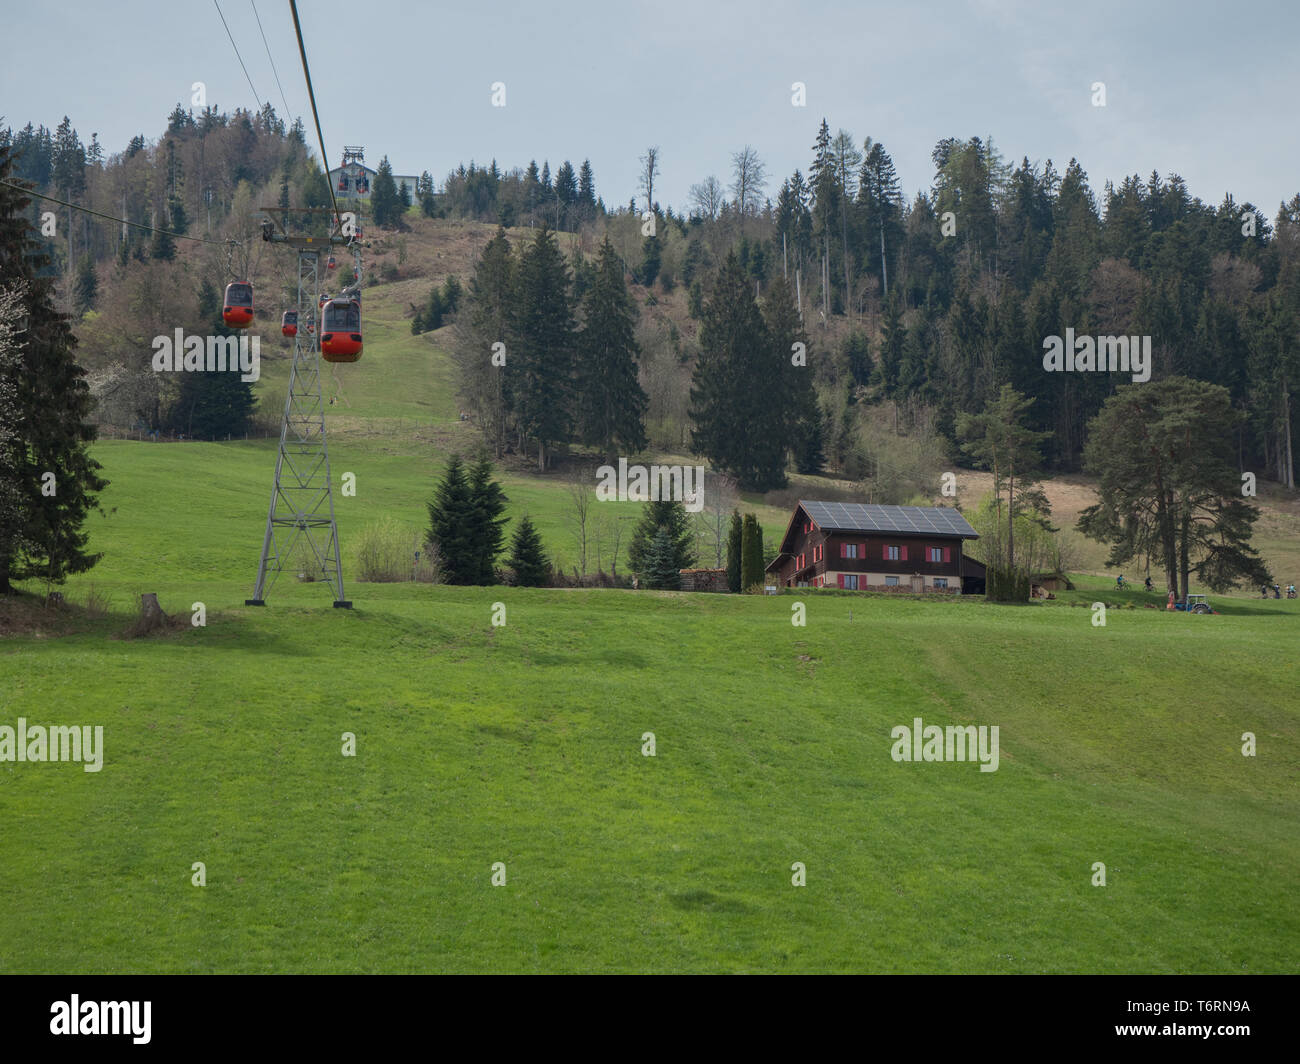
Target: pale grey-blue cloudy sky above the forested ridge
[(1204, 89)]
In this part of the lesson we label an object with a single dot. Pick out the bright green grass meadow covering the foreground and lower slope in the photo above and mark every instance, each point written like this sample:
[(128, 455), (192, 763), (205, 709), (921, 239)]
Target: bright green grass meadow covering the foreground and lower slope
[(523, 745)]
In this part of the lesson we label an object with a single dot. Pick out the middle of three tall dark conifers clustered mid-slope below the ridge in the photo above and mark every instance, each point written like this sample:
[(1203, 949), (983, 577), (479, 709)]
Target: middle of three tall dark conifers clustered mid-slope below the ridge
[(541, 345)]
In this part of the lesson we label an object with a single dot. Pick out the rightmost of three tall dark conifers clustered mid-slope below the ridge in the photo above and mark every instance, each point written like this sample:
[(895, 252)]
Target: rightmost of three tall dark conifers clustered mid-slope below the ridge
[(610, 401)]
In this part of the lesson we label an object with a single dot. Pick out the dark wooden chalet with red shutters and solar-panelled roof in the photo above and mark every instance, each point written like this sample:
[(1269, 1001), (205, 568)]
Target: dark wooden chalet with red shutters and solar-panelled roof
[(865, 547)]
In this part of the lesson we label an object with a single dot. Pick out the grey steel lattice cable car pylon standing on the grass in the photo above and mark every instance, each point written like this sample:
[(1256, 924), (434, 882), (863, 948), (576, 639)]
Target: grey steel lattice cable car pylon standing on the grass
[(302, 503)]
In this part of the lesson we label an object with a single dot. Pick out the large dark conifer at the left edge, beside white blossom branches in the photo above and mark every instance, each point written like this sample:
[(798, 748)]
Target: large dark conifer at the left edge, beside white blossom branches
[(44, 535)]
